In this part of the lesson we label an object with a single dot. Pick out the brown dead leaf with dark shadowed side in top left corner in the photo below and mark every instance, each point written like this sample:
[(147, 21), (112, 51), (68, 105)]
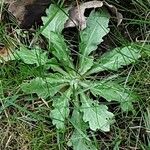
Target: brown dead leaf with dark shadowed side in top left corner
[(27, 12)]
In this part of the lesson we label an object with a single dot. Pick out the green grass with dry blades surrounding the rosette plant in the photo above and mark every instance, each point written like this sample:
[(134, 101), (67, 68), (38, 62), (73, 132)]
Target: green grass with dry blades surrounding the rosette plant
[(25, 122)]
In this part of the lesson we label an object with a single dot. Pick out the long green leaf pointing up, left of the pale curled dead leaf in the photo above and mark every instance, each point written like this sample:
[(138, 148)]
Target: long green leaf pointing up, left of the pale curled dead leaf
[(52, 32)]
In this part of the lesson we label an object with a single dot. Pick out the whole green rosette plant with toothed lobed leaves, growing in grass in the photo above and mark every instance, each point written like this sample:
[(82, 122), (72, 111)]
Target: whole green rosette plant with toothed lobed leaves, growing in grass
[(72, 87)]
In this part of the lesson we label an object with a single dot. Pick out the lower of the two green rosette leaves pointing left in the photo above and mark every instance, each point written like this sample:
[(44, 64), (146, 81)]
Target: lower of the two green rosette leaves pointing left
[(42, 87)]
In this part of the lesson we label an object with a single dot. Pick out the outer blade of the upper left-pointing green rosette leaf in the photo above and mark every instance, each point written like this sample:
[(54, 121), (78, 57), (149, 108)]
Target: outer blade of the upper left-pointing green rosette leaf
[(35, 56)]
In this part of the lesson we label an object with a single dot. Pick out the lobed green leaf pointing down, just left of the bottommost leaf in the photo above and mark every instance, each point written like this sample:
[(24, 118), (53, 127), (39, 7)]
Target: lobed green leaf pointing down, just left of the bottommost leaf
[(61, 109)]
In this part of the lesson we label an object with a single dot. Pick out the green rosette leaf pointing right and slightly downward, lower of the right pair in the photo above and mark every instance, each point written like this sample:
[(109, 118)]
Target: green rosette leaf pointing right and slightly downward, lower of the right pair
[(112, 91)]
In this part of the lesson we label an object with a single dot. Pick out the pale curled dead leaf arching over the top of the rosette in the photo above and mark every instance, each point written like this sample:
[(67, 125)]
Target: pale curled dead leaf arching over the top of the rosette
[(77, 18)]
